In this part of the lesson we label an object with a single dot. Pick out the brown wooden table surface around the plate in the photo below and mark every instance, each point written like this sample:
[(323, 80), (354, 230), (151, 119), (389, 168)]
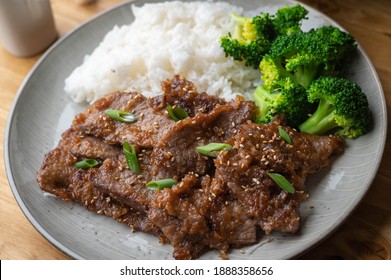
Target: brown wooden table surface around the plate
[(365, 235)]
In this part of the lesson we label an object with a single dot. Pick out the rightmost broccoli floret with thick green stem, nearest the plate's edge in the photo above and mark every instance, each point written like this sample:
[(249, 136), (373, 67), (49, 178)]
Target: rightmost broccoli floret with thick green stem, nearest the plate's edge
[(343, 108)]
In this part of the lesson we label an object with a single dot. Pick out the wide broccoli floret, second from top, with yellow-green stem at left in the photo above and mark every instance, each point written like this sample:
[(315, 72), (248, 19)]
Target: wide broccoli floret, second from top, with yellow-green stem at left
[(305, 56)]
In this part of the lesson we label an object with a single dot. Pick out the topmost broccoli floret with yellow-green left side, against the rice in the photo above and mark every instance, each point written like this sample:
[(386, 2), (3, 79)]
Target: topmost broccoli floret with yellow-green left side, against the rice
[(252, 37)]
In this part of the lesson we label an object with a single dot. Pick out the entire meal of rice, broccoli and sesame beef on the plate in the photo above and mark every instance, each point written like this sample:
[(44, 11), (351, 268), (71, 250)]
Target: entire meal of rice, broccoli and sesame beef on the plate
[(206, 167)]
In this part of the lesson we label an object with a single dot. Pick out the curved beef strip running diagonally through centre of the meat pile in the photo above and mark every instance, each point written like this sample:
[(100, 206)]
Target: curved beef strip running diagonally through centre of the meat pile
[(175, 154)]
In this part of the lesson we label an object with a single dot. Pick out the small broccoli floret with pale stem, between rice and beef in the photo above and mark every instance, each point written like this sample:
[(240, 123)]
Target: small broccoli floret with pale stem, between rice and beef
[(288, 98)]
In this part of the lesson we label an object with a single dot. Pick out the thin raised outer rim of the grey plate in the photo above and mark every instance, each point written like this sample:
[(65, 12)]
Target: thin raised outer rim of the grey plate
[(44, 56)]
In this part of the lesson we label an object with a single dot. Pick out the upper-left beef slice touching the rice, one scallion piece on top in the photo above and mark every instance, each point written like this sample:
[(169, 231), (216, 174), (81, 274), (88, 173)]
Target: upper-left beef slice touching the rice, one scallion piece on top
[(150, 126)]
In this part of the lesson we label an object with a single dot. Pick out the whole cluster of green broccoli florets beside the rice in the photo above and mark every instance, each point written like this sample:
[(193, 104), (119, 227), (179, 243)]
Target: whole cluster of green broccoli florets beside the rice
[(302, 72)]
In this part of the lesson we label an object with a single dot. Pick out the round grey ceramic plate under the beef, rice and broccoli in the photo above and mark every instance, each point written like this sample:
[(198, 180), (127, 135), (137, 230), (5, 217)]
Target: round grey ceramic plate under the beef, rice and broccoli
[(41, 111)]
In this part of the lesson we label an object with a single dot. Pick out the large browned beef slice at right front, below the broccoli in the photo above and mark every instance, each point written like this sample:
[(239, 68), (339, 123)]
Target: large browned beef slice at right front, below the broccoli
[(241, 197)]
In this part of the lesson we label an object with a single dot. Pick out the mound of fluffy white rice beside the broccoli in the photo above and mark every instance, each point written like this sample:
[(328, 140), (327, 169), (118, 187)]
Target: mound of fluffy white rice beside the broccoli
[(165, 39)]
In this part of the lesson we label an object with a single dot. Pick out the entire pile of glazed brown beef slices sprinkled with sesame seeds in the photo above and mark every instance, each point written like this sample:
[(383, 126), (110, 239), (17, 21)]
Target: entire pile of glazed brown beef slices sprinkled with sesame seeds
[(217, 202)]
